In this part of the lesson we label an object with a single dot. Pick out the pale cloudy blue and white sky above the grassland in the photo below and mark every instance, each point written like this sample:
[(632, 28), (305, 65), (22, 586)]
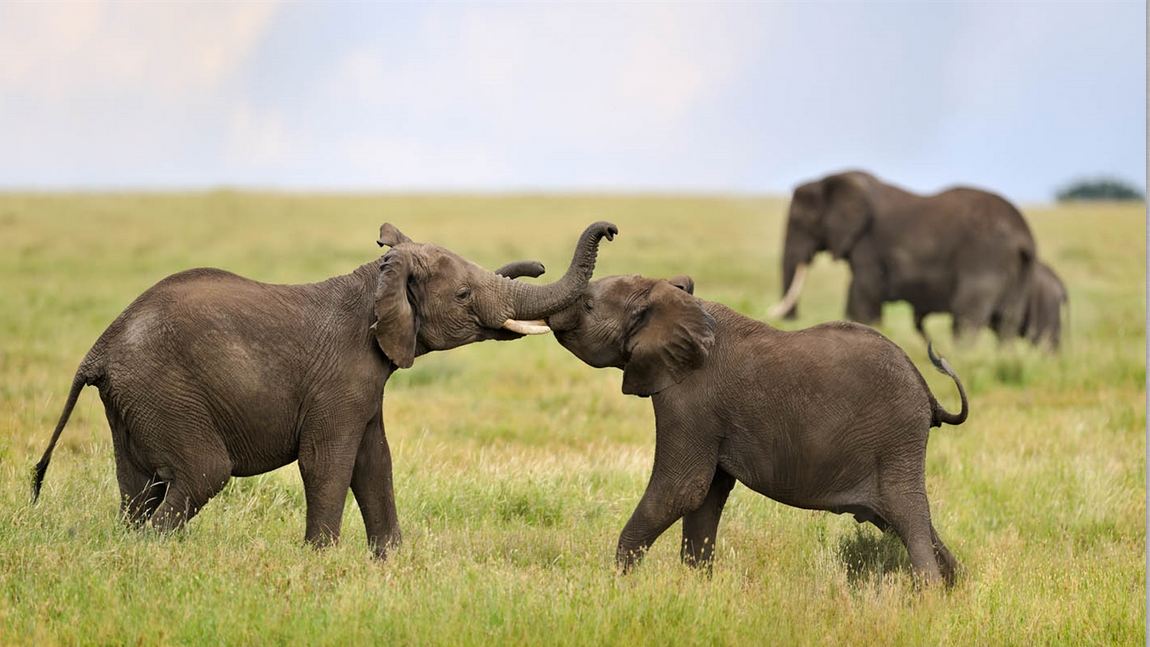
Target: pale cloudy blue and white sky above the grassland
[(749, 98)]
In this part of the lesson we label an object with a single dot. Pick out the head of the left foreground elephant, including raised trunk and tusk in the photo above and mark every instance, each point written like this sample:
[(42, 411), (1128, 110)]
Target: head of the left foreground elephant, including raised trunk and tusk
[(428, 298)]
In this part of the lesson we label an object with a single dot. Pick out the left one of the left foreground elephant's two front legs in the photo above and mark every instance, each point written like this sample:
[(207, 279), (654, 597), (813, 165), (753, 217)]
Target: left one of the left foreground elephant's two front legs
[(326, 465)]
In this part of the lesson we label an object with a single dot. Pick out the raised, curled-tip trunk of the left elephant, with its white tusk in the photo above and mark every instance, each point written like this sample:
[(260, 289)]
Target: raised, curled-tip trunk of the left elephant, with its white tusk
[(536, 302)]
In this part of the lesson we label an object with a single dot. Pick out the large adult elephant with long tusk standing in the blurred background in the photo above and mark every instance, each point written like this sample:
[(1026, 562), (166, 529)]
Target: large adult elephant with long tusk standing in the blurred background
[(965, 252)]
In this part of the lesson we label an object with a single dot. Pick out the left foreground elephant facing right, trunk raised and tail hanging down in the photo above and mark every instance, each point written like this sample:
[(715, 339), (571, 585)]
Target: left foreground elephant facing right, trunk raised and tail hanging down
[(210, 375)]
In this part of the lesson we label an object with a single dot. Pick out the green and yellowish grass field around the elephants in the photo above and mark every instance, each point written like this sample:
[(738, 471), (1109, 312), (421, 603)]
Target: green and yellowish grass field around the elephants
[(518, 466)]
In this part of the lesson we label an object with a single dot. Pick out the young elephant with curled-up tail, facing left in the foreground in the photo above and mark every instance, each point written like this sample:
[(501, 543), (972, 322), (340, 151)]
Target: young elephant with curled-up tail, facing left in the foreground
[(833, 418)]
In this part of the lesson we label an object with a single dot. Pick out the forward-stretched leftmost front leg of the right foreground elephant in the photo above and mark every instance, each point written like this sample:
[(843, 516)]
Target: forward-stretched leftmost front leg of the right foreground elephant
[(680, 483)]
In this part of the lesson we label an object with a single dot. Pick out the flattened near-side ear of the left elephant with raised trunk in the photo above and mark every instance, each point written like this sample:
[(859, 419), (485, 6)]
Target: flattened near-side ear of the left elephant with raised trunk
[(397, 322)]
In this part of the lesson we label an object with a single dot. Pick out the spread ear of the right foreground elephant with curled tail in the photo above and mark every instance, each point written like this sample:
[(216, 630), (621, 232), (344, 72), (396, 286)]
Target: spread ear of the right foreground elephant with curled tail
[(671, 337)]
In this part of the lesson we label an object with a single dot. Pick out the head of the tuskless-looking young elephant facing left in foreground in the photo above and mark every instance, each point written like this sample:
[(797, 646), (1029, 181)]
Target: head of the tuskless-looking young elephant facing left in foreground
[(655, 330)]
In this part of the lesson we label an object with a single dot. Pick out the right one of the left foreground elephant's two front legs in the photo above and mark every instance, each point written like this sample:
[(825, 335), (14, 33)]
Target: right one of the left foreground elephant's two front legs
[(372, 484)]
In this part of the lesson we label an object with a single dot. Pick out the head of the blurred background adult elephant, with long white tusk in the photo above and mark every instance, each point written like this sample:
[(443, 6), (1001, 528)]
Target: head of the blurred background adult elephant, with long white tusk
[(831, 214)]
